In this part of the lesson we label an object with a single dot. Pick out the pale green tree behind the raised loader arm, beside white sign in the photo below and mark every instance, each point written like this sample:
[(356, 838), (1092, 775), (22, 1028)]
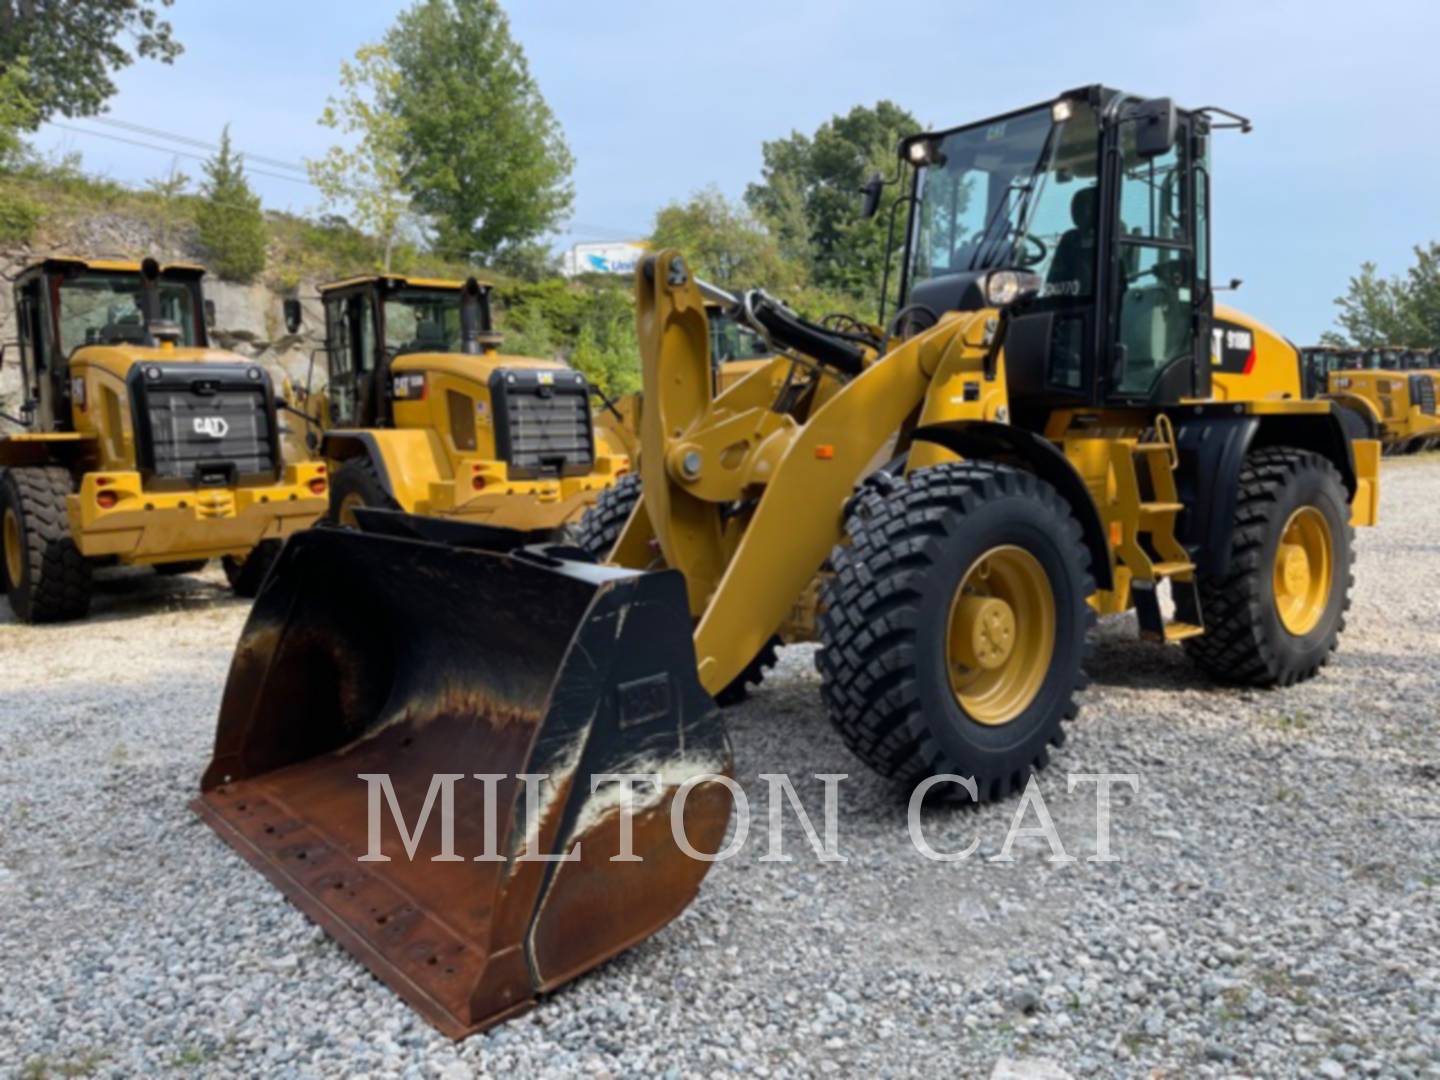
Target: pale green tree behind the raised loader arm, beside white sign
[(725, 244)]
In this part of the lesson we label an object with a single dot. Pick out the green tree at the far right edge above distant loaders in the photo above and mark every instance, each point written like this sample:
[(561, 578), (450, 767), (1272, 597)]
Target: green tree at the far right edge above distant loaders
[(1393, 312)]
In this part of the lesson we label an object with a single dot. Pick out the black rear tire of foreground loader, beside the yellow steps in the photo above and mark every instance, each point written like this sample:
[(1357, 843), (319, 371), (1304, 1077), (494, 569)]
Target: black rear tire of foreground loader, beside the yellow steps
[(1246, 640)]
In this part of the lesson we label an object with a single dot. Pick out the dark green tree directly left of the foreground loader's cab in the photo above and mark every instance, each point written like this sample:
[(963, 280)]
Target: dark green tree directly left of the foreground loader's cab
[(810, 195)]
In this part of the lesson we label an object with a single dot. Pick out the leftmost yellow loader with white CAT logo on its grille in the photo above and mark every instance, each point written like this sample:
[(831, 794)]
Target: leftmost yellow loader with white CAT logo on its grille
[(139, 444)]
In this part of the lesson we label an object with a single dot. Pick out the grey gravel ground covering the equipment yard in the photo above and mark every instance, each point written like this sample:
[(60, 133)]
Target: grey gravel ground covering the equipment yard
[(1274, 911)]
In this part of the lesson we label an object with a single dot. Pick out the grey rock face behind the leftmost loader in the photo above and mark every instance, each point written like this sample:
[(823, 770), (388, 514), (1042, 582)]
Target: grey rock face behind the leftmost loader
[(248, 319)]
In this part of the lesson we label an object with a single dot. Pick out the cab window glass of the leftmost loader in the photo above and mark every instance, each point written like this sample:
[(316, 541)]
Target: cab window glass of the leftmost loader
[(104, 310)]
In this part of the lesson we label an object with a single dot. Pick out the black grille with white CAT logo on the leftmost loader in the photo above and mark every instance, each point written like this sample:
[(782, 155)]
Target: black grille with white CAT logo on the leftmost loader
[(204, 426)]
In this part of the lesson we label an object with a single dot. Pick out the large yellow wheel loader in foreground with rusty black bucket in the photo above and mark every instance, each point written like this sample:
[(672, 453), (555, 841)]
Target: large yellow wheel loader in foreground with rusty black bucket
[(1036, 438)]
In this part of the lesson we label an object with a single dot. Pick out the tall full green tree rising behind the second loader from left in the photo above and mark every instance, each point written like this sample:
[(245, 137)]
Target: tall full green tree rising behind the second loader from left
[(485, 156)]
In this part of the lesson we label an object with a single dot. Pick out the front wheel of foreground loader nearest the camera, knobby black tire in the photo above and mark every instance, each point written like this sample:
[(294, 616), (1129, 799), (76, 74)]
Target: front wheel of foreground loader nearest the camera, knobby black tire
[(888, 670)]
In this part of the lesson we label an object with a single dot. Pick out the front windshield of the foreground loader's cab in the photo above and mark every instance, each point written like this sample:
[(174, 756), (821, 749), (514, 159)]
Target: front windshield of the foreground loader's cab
[(1016, 192)]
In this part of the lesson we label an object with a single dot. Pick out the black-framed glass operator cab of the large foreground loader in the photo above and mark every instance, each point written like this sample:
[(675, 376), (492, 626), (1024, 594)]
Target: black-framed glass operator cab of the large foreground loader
[(1097, 210)]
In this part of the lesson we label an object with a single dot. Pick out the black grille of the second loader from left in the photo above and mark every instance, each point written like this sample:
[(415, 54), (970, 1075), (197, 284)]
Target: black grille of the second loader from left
[(544, 423)]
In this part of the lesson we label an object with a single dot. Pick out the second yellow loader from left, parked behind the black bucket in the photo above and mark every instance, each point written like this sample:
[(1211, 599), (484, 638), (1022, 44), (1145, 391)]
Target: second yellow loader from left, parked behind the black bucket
[(427, 415)]
